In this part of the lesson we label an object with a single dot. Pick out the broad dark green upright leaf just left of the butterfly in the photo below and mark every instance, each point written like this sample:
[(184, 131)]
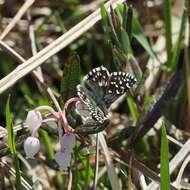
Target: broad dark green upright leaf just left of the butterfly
[(70, 78)]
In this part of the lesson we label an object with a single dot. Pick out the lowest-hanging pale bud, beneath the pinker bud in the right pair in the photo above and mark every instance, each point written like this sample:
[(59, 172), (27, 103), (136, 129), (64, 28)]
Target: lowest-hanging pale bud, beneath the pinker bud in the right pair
[(63, 159)]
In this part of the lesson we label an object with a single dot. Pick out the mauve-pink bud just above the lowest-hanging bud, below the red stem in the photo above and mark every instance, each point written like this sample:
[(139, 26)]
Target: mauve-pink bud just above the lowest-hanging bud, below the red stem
[(68, 142)]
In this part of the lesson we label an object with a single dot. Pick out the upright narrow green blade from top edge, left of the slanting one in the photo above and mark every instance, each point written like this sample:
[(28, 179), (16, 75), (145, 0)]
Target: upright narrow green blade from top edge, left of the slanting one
[(168, 28)]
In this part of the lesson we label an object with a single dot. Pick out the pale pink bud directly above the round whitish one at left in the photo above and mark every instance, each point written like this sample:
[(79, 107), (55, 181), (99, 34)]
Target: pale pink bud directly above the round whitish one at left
[(33, 119)]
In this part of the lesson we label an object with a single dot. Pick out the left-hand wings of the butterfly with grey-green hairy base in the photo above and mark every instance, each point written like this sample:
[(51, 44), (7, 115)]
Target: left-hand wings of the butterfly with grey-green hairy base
[(92, 92)]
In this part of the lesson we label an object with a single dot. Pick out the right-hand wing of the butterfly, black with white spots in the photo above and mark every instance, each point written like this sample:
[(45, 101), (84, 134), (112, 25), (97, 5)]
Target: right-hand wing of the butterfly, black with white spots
[(119, 83)]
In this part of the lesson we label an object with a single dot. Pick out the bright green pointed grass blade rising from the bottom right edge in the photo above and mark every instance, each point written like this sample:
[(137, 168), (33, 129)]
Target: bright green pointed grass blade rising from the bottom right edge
[(164, 168)]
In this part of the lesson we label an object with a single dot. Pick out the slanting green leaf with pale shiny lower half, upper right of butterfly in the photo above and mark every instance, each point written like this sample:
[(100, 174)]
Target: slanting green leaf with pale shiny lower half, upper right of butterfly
[(138, 34)]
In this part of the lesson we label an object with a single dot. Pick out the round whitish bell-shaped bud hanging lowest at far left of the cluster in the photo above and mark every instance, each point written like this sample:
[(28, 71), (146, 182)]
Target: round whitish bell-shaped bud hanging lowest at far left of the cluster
[(31, 147)]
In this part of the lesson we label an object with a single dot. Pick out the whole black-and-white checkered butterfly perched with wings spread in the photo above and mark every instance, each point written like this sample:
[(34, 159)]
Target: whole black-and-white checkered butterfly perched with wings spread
[(99, 89)]
